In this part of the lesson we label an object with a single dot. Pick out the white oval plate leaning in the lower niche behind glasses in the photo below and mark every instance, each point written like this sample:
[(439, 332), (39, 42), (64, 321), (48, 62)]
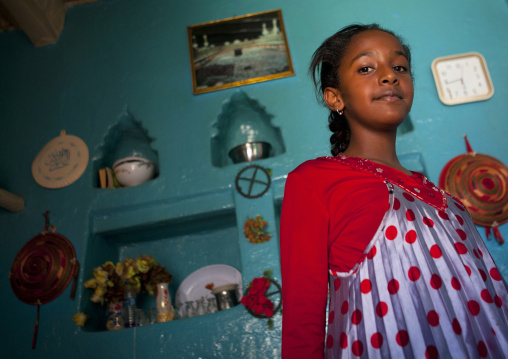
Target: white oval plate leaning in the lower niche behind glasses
[(194, 286)]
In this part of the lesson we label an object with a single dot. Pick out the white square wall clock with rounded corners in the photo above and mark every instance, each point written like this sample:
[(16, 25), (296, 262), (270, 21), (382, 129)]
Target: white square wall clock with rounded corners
[(462, 78)]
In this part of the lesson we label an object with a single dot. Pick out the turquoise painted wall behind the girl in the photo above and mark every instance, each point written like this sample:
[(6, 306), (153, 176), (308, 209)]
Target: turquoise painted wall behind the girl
[(120, 56)]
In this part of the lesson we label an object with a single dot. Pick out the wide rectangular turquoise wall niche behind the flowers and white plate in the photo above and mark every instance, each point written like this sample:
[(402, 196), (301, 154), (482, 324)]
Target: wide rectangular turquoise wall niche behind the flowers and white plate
[(181, 244)]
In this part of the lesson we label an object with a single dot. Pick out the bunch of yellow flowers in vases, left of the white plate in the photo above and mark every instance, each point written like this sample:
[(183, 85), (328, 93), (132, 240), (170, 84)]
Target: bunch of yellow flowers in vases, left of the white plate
[(142, 273)]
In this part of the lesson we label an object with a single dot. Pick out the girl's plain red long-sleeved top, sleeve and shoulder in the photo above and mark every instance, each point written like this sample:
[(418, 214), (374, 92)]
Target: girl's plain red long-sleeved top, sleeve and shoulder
[(330, 213)]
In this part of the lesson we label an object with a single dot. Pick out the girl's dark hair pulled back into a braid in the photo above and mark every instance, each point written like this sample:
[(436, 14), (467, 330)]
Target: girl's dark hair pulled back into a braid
[(324, 73)]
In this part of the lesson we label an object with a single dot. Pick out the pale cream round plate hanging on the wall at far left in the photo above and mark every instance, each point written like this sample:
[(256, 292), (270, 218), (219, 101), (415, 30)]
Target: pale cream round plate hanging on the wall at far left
[(61, 162)]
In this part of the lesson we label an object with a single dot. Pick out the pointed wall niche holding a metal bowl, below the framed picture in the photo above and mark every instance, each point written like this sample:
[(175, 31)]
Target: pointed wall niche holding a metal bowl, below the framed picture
[(244, 133)]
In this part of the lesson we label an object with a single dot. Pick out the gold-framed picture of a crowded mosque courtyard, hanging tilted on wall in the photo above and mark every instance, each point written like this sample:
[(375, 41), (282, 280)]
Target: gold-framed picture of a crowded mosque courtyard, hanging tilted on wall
[(238, 51)]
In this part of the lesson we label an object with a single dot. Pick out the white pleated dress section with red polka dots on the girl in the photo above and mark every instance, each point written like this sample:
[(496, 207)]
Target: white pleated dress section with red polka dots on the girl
[(426, 288)]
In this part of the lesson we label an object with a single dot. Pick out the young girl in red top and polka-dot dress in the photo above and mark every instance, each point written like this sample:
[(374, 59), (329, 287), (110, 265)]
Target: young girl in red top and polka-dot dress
[(406, 272)]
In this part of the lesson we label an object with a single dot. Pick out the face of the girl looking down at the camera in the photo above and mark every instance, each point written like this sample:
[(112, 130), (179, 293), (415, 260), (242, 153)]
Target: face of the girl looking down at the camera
[(376, 88)]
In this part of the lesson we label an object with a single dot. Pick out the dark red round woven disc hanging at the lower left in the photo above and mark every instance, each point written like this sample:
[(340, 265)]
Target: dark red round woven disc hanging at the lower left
[(43, 268)]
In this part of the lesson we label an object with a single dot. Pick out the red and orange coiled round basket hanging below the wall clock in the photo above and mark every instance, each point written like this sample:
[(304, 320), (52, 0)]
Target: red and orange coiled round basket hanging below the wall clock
[(481, 183)]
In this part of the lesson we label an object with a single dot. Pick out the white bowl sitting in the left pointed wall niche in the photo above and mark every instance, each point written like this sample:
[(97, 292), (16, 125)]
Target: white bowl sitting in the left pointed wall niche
[(132, 171)]
